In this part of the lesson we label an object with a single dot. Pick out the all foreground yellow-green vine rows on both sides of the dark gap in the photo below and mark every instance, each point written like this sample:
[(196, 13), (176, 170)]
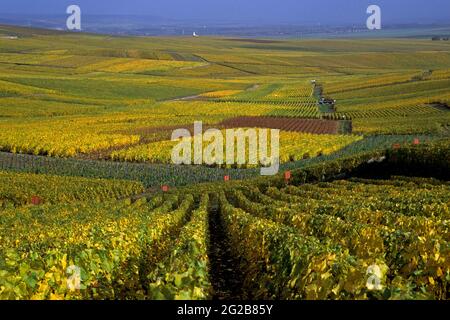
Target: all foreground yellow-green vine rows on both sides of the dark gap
[(317, 241)]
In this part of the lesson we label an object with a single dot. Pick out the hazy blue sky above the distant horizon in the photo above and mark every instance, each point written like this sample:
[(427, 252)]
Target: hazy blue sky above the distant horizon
[(264, 11)]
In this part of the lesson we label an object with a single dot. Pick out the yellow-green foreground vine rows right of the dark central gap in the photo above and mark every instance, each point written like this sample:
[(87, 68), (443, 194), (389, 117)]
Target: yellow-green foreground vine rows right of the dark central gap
[(349, 225)]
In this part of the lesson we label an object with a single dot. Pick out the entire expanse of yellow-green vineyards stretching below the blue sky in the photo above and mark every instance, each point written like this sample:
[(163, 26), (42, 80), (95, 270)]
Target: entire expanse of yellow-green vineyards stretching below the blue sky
[(86, 178)]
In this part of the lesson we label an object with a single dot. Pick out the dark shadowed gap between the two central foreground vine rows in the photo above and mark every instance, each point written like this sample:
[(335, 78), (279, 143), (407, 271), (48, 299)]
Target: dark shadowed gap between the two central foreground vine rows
[(226, 277)]
